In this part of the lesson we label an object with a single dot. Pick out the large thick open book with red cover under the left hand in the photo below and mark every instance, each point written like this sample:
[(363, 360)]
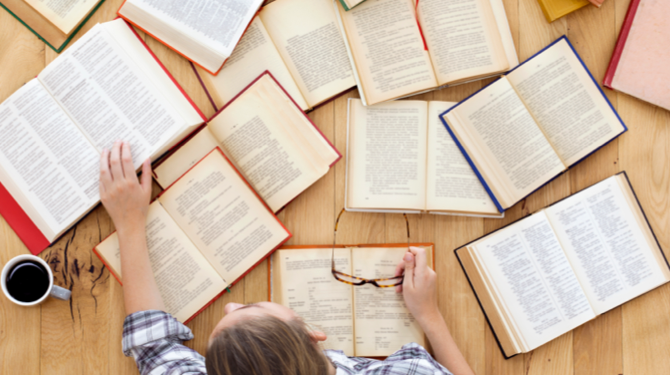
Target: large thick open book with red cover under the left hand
[(106, 87)]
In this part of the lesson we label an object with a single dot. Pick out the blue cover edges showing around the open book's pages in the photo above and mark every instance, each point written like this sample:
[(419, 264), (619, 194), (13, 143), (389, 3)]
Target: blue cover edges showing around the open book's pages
[(469, 157)]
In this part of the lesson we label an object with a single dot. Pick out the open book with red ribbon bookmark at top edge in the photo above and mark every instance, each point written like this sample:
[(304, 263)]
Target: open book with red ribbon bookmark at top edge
[(391, 58)]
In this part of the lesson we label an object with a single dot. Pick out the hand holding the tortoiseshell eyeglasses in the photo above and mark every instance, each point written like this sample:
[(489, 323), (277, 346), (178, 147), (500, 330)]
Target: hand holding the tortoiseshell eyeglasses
[(419, 287)]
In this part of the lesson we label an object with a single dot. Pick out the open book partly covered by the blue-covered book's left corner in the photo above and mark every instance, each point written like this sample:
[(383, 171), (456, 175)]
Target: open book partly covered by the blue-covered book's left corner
[(400, 158)]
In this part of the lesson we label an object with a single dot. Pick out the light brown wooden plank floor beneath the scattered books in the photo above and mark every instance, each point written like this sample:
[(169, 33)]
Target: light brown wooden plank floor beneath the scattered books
[(84, 335)]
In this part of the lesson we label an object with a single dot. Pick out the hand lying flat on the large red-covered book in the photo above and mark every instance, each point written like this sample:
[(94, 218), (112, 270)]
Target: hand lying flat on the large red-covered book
[(125, 198)]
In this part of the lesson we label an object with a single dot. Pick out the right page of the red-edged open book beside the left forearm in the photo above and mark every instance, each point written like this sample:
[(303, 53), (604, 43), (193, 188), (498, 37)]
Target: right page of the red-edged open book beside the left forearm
[(223, 217)]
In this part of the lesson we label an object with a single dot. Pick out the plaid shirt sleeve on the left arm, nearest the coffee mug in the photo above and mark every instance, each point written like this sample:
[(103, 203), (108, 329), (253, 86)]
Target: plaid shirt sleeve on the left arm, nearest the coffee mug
[(154, 338)]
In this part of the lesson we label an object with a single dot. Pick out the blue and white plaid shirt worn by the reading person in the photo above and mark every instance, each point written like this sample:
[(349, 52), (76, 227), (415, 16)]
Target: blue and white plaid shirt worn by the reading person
[(154, 338)]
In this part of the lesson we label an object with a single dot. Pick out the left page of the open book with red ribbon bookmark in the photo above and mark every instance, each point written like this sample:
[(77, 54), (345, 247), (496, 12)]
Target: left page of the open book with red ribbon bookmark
[(387, 49)]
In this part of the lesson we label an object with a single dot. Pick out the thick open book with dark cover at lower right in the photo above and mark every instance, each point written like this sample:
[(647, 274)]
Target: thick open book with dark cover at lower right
[(558, 268)]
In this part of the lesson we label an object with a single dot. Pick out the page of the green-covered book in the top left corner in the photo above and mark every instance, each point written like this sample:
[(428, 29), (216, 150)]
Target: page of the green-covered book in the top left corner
[(64, 14)]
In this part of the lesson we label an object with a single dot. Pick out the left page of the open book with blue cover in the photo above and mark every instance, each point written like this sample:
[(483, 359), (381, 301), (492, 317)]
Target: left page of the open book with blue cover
[(505, 143)]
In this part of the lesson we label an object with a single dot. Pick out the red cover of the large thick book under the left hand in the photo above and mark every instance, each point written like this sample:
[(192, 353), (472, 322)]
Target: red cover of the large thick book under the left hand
[(19, 220)]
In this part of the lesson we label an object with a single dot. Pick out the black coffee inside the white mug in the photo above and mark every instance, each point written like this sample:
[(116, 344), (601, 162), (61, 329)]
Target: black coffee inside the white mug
[(27, 281)]
